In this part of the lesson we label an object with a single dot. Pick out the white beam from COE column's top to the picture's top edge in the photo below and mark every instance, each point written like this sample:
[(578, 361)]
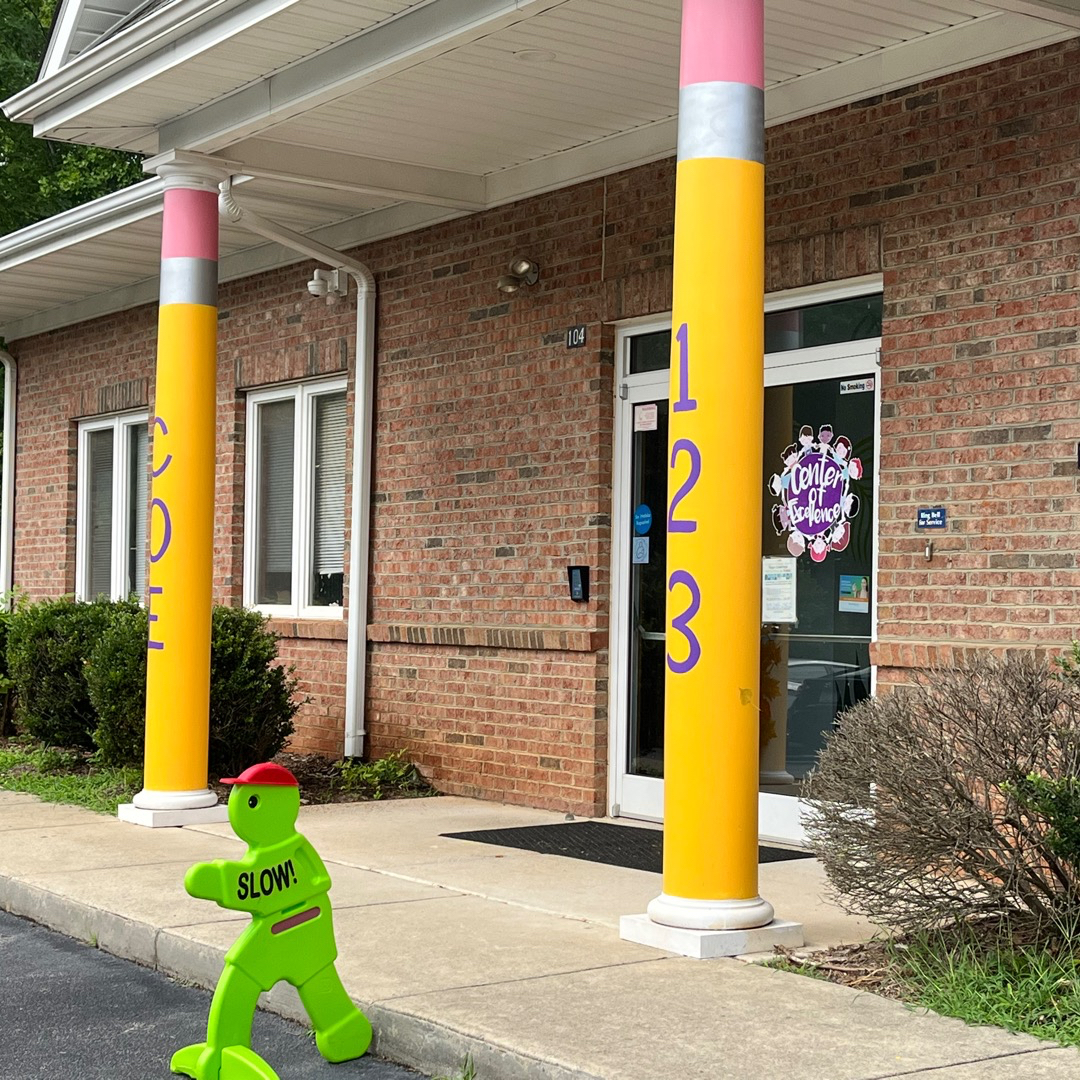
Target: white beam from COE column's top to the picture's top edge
[(417, 35)]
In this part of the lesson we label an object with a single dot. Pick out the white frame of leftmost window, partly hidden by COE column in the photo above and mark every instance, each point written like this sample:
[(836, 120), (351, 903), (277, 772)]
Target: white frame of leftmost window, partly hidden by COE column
[(121, 425)]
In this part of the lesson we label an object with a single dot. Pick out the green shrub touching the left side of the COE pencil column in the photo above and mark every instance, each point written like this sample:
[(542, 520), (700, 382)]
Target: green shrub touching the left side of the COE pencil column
[(116, 680)]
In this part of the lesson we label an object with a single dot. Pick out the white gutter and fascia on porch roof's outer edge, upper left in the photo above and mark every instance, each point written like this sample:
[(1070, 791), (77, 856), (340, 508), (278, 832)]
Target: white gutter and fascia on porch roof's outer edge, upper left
[(160, 42)]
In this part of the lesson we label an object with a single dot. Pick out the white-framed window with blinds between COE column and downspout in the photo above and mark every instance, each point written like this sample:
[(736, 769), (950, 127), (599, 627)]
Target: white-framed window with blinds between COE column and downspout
[(294, 562)]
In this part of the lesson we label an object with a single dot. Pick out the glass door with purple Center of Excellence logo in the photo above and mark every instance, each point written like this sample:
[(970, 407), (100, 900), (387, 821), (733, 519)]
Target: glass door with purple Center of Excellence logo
[(818, 548)]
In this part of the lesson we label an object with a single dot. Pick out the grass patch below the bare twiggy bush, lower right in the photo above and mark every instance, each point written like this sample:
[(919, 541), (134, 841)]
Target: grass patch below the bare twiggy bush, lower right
[(991, 980)]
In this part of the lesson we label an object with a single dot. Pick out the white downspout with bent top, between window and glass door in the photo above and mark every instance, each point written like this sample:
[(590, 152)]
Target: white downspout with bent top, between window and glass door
[(359, 547)]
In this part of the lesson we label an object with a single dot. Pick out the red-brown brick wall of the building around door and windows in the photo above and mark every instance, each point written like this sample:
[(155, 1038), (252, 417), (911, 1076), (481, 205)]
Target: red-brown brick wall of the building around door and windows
[(494, 441)]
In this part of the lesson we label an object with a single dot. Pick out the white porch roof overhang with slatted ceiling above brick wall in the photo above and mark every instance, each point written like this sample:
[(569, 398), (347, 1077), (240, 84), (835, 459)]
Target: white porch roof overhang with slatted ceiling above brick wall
[(369, 118)]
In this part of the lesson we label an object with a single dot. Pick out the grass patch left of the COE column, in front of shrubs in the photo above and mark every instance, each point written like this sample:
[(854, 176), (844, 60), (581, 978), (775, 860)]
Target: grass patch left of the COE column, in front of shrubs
[(63, 776)]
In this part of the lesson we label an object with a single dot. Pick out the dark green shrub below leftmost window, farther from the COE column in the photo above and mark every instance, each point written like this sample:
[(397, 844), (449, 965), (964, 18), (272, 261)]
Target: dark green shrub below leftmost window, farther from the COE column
[(48, 646)]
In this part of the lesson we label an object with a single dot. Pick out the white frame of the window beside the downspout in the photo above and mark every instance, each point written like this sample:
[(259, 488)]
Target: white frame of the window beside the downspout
[(304, 396)]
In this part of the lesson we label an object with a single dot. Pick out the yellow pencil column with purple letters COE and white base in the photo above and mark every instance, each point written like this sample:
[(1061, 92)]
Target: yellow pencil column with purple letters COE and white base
[(175, 789)]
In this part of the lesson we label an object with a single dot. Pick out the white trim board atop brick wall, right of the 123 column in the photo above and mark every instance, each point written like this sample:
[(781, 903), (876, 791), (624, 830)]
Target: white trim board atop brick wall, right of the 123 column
[(979, 42)]
